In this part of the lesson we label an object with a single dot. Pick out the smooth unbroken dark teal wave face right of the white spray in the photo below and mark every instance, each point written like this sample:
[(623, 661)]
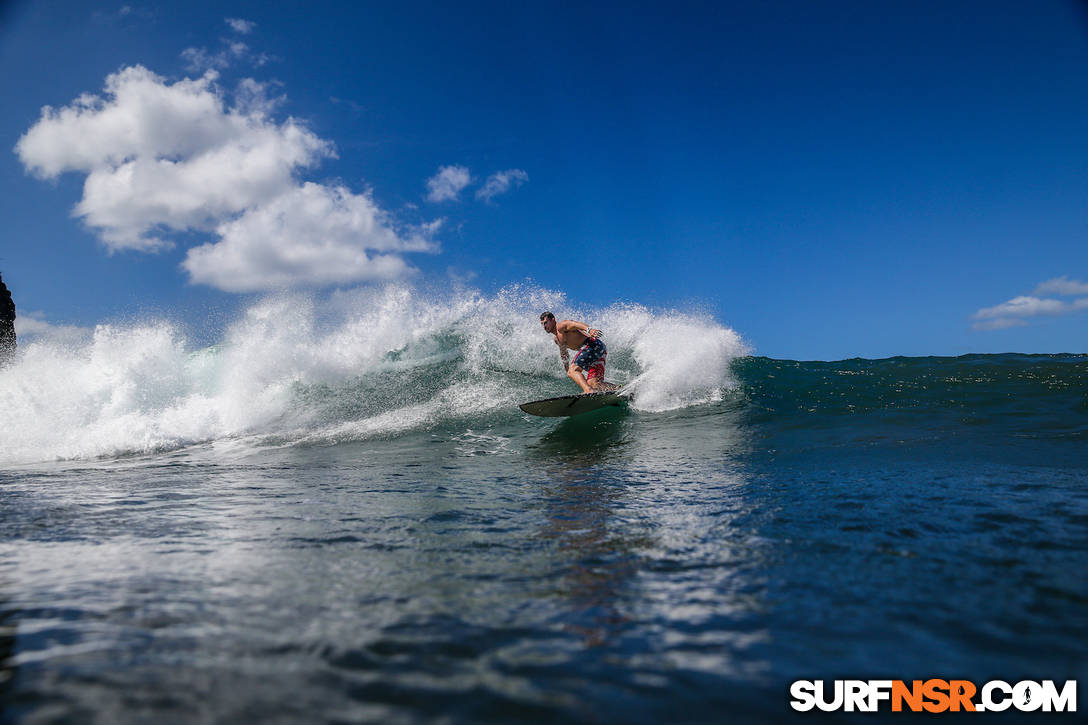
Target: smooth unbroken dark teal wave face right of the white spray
[(983, 408)]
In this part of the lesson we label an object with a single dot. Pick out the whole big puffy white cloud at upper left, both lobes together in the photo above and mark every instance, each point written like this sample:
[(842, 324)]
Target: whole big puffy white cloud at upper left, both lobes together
[(164, 158)]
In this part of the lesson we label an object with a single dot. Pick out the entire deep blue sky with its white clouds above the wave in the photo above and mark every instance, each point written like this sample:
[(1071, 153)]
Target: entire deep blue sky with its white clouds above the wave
[(830, 179)]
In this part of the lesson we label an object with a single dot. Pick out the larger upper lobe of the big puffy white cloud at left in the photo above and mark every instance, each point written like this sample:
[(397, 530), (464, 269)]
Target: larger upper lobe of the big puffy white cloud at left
[(166, 157)]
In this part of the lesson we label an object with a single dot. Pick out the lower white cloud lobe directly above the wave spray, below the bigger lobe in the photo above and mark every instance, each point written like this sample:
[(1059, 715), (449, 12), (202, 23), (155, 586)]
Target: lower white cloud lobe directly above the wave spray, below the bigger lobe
[(311, 237)]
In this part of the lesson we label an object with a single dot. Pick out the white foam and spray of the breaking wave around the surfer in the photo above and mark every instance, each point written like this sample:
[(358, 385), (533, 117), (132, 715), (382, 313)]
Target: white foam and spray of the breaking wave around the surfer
[(347, 366)]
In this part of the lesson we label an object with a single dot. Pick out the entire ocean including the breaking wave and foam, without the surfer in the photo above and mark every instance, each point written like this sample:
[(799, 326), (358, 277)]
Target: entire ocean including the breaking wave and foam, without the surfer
[(339, 514)]
